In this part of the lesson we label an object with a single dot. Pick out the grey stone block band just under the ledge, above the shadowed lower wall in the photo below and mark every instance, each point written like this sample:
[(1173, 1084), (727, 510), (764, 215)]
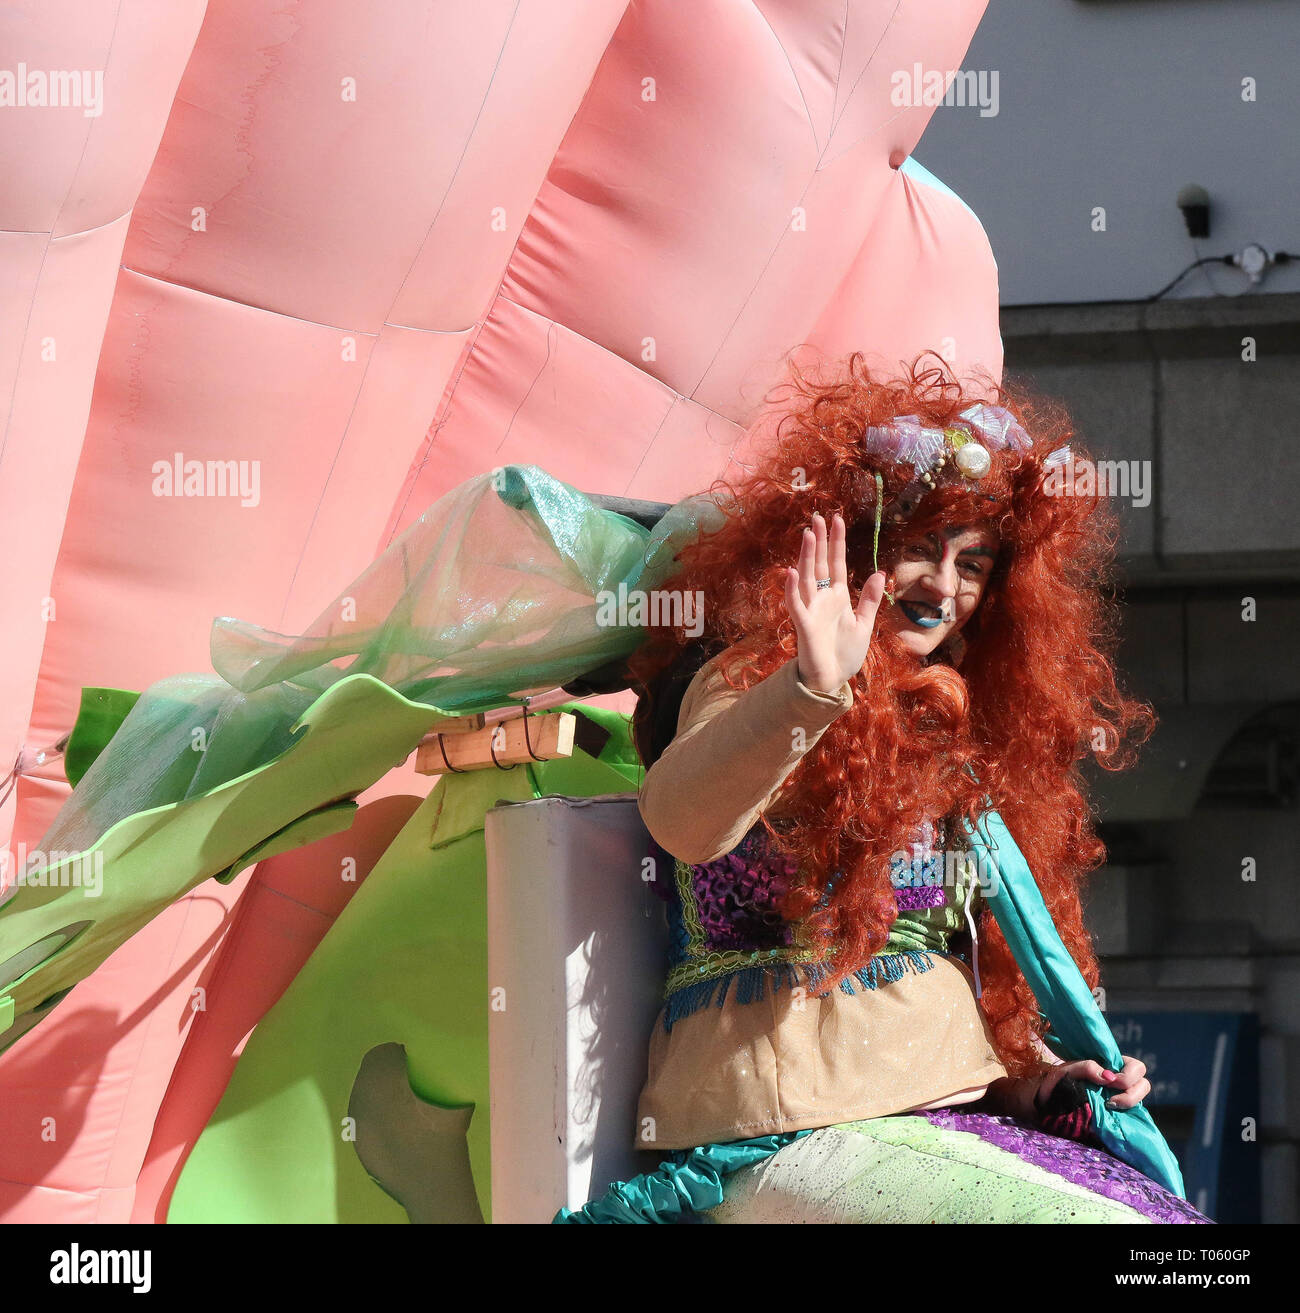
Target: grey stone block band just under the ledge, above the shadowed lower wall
[(1167, 385)]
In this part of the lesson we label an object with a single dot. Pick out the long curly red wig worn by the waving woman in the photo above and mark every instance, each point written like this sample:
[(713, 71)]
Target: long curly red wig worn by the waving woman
[(1037, 693)]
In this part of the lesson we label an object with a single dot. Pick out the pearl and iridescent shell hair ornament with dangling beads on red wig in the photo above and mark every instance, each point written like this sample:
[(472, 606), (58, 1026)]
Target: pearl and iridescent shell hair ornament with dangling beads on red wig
[(962, 450)]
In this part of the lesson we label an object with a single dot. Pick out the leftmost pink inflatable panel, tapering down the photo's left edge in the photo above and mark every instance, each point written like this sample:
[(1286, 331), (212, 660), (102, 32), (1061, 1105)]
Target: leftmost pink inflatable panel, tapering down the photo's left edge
[(72, 175)]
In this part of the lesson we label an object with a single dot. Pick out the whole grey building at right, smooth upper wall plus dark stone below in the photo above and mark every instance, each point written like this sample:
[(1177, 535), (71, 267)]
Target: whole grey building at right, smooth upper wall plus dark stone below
[(1119, 104)]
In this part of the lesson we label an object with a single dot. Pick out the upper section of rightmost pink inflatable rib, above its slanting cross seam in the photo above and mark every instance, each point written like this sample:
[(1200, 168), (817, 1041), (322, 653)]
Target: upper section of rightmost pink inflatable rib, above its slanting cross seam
[(720, 219)]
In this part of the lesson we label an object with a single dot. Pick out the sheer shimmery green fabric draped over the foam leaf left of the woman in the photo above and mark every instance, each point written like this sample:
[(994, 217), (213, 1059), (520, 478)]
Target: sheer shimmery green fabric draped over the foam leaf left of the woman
[(490, 597)]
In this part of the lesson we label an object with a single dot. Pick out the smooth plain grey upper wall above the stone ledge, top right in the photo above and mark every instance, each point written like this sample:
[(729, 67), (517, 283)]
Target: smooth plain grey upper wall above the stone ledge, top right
[(1119, 103)]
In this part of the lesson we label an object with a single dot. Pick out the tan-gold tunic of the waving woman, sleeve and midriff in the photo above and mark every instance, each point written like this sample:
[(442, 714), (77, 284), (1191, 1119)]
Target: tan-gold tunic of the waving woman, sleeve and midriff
[(791, 1060)]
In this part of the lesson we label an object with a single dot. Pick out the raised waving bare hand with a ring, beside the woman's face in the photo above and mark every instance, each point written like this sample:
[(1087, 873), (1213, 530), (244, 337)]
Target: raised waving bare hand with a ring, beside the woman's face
[(833, 634)]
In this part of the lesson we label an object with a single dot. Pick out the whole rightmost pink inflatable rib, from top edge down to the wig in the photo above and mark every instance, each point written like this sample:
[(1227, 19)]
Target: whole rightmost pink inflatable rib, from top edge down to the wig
[(697, 226)]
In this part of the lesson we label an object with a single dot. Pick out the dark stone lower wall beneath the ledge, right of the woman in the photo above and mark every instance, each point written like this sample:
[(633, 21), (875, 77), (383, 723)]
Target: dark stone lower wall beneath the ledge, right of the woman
[(1177, 928)]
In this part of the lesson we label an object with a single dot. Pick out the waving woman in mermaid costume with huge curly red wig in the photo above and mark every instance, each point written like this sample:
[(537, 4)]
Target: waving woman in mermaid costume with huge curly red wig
[(846, 1034)]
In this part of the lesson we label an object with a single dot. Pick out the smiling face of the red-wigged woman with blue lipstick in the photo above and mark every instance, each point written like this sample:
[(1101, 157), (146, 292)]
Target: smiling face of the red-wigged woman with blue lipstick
[(938, 586)]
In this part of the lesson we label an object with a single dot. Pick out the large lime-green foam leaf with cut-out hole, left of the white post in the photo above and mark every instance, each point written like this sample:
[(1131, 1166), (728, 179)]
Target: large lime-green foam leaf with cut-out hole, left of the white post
[(405, 963)]
